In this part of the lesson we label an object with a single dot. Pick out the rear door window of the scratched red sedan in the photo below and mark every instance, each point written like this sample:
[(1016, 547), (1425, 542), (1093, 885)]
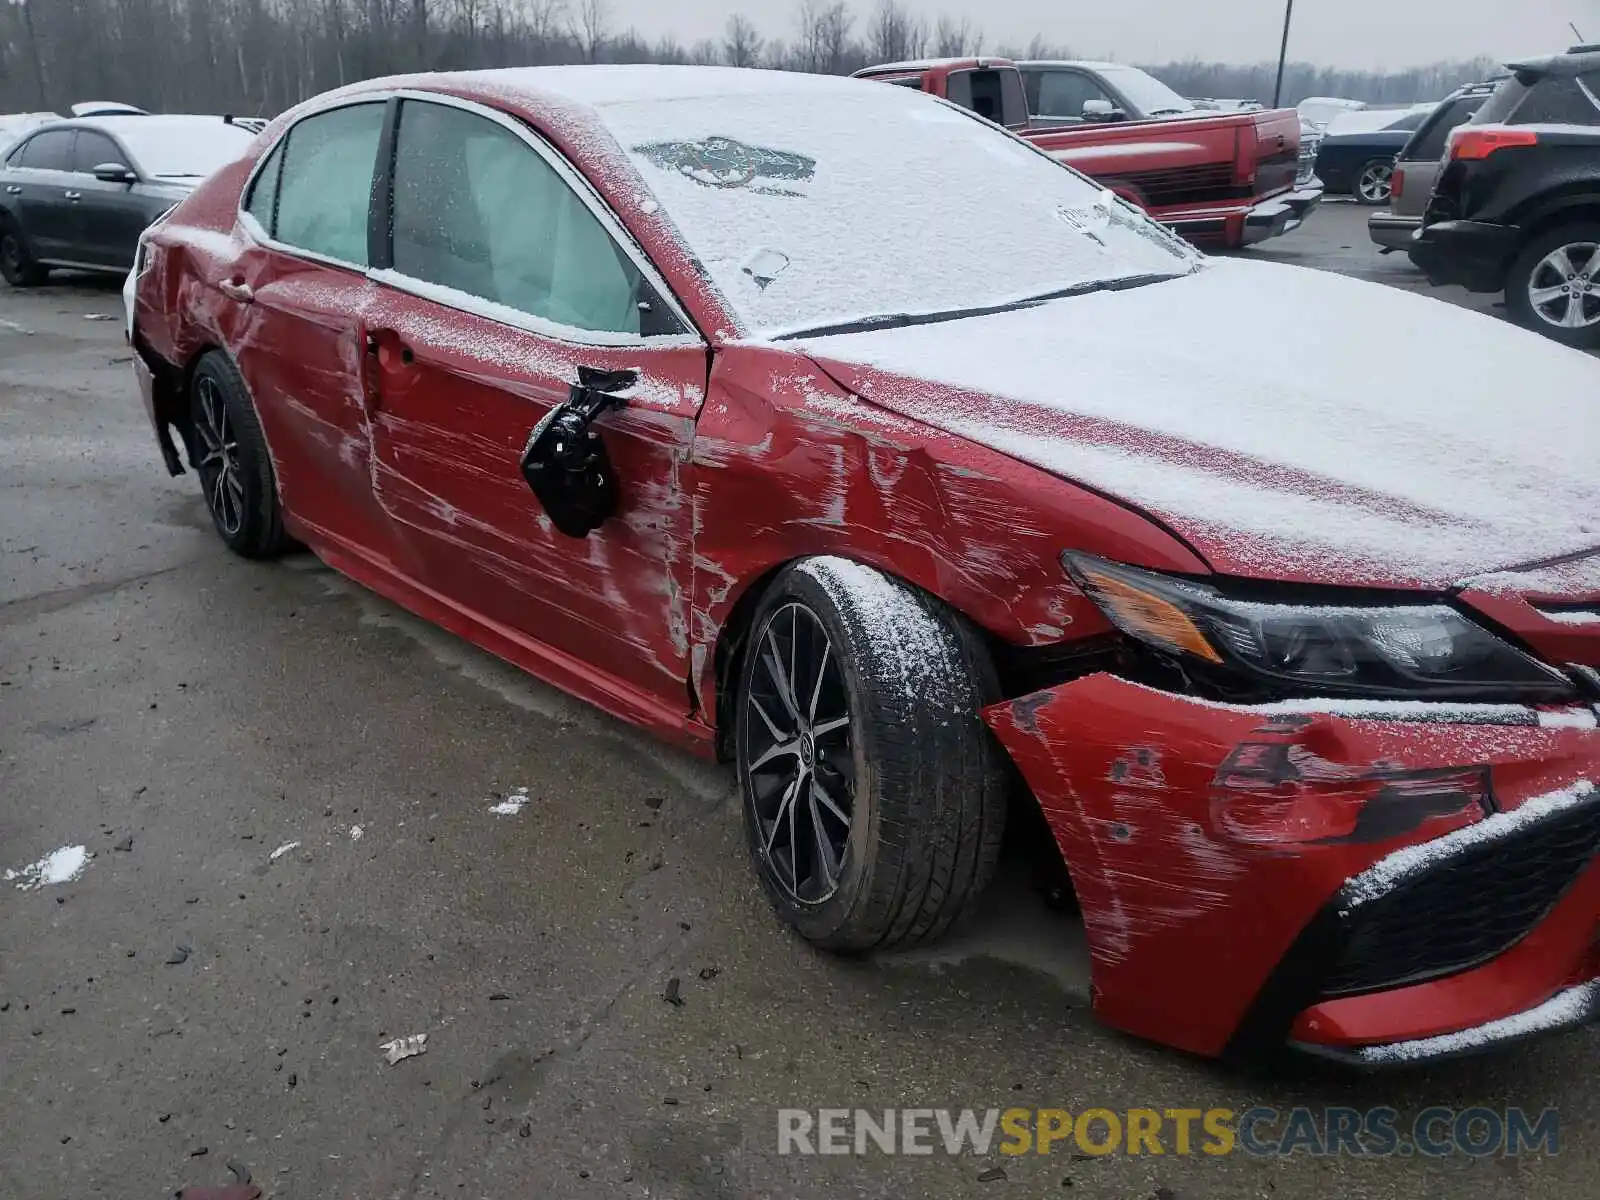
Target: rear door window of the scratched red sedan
[(327, 183)]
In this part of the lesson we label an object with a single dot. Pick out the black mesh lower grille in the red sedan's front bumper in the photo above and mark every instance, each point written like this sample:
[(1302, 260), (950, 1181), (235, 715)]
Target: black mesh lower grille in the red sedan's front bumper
[(1471, 908)]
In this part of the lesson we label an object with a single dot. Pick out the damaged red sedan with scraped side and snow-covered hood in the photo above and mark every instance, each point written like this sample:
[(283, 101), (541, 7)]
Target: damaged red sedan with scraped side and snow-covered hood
[(830, 430)]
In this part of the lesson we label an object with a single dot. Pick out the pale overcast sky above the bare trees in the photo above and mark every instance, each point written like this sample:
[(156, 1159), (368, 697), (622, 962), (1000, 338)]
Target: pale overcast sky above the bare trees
[(1334, 33)]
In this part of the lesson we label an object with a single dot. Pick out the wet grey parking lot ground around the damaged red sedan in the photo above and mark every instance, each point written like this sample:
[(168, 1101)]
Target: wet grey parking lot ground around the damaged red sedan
[(287, 791)]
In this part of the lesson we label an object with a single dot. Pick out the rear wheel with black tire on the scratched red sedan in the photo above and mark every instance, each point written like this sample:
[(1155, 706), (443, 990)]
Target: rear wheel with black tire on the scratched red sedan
[(231, 458)]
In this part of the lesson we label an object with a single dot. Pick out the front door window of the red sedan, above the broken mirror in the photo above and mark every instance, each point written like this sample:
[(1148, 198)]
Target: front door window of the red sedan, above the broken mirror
[(478, 210)]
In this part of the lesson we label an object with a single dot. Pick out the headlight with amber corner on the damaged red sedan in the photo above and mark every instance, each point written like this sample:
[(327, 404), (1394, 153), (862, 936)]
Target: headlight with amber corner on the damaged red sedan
[(1382, 650)]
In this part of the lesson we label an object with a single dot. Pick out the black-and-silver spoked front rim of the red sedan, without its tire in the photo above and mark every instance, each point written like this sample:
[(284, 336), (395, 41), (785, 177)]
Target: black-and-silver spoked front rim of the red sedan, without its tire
[(798, 754)]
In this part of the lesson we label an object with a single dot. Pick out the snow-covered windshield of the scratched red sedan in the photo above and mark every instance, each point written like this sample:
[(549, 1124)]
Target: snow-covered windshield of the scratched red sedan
[(815, 207)]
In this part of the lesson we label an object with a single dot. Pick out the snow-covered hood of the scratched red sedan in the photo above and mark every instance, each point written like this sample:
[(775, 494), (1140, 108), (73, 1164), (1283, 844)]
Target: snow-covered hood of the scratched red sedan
[(1287, 423)]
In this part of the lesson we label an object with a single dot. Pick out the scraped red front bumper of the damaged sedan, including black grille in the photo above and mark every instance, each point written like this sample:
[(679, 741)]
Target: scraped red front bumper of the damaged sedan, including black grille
[(1194, 836)]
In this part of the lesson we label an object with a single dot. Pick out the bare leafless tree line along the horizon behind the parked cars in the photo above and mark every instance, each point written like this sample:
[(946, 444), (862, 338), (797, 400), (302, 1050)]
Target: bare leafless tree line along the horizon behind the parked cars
[(262, 57)]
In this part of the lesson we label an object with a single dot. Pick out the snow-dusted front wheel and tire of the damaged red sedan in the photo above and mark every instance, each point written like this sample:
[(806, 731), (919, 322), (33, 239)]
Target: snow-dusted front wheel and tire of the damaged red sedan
[(914, 766)]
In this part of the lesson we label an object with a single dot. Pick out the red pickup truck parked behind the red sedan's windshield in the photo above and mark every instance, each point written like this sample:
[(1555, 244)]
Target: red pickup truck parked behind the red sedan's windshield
[(1218, 178)]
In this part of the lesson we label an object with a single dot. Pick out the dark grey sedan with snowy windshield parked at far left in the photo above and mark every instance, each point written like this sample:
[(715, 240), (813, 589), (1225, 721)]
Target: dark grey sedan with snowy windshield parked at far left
[(79, 193)]
